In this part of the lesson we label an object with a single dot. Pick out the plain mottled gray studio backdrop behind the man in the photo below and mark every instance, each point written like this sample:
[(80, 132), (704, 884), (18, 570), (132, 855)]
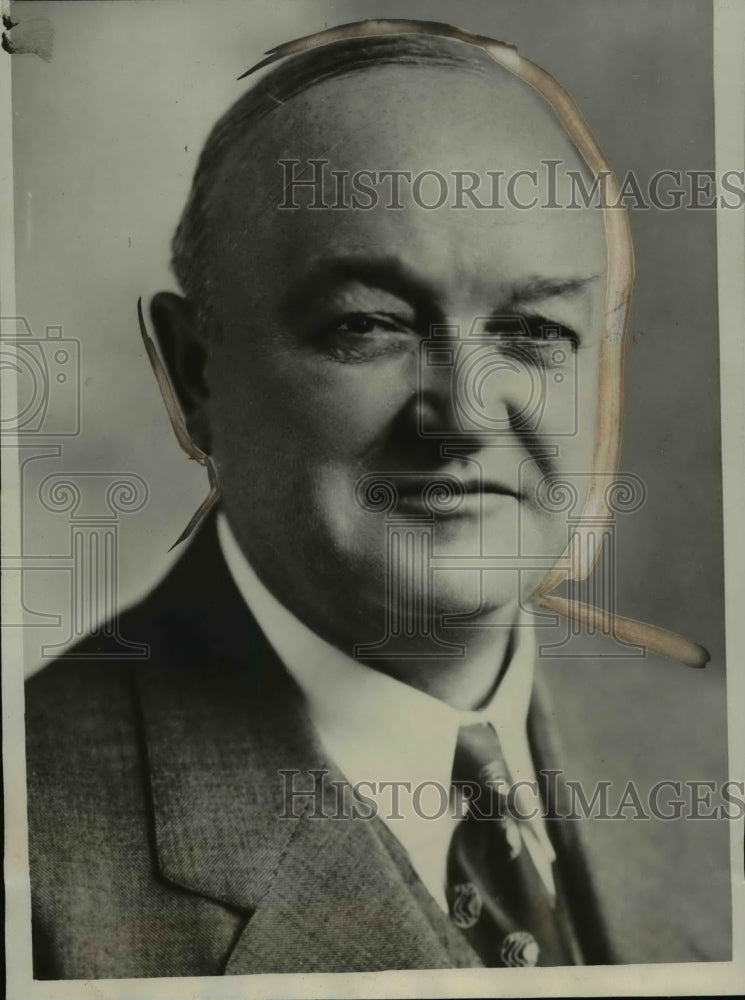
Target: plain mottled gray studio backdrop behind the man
[(106, 137)]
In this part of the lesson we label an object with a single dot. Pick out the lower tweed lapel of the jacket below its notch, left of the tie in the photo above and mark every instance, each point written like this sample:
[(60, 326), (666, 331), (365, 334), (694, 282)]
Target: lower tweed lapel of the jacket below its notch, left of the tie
[(341, 901)]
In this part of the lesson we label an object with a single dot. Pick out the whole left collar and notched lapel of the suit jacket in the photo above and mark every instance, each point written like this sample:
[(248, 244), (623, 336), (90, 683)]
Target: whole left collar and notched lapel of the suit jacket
[(222, 719)]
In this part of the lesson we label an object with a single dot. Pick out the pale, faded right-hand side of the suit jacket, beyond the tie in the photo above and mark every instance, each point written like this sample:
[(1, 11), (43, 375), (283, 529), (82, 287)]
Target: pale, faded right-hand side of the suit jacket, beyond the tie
[(642, 889)]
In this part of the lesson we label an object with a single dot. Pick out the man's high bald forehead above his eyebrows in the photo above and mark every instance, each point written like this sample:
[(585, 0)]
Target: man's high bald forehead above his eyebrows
[(291, 191)]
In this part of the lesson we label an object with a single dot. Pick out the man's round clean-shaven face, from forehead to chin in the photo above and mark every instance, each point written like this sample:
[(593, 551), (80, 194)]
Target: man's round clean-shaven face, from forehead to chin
[(322, 374)]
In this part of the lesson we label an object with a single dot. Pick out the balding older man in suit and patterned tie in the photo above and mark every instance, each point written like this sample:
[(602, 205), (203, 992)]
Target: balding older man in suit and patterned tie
[(387, 383)]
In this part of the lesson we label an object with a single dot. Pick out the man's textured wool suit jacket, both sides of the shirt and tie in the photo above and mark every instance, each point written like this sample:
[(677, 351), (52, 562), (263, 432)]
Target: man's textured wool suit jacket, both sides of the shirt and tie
[(154, 791)]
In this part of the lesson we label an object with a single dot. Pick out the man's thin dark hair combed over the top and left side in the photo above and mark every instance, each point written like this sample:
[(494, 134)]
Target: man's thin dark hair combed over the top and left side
[(194, 239)]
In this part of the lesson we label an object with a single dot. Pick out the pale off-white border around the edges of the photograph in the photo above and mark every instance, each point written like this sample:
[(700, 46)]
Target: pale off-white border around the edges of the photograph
[(685, 979)]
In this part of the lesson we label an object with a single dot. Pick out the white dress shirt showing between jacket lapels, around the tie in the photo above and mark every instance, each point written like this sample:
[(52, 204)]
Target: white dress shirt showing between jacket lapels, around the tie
[(378, 729)]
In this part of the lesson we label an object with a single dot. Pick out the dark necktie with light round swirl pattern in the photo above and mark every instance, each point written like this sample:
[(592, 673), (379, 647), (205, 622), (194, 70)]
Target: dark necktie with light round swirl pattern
[(495, 893)]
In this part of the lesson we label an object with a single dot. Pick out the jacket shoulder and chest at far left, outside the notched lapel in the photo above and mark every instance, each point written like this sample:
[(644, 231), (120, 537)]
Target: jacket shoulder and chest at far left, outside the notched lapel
[(100, 907)]
